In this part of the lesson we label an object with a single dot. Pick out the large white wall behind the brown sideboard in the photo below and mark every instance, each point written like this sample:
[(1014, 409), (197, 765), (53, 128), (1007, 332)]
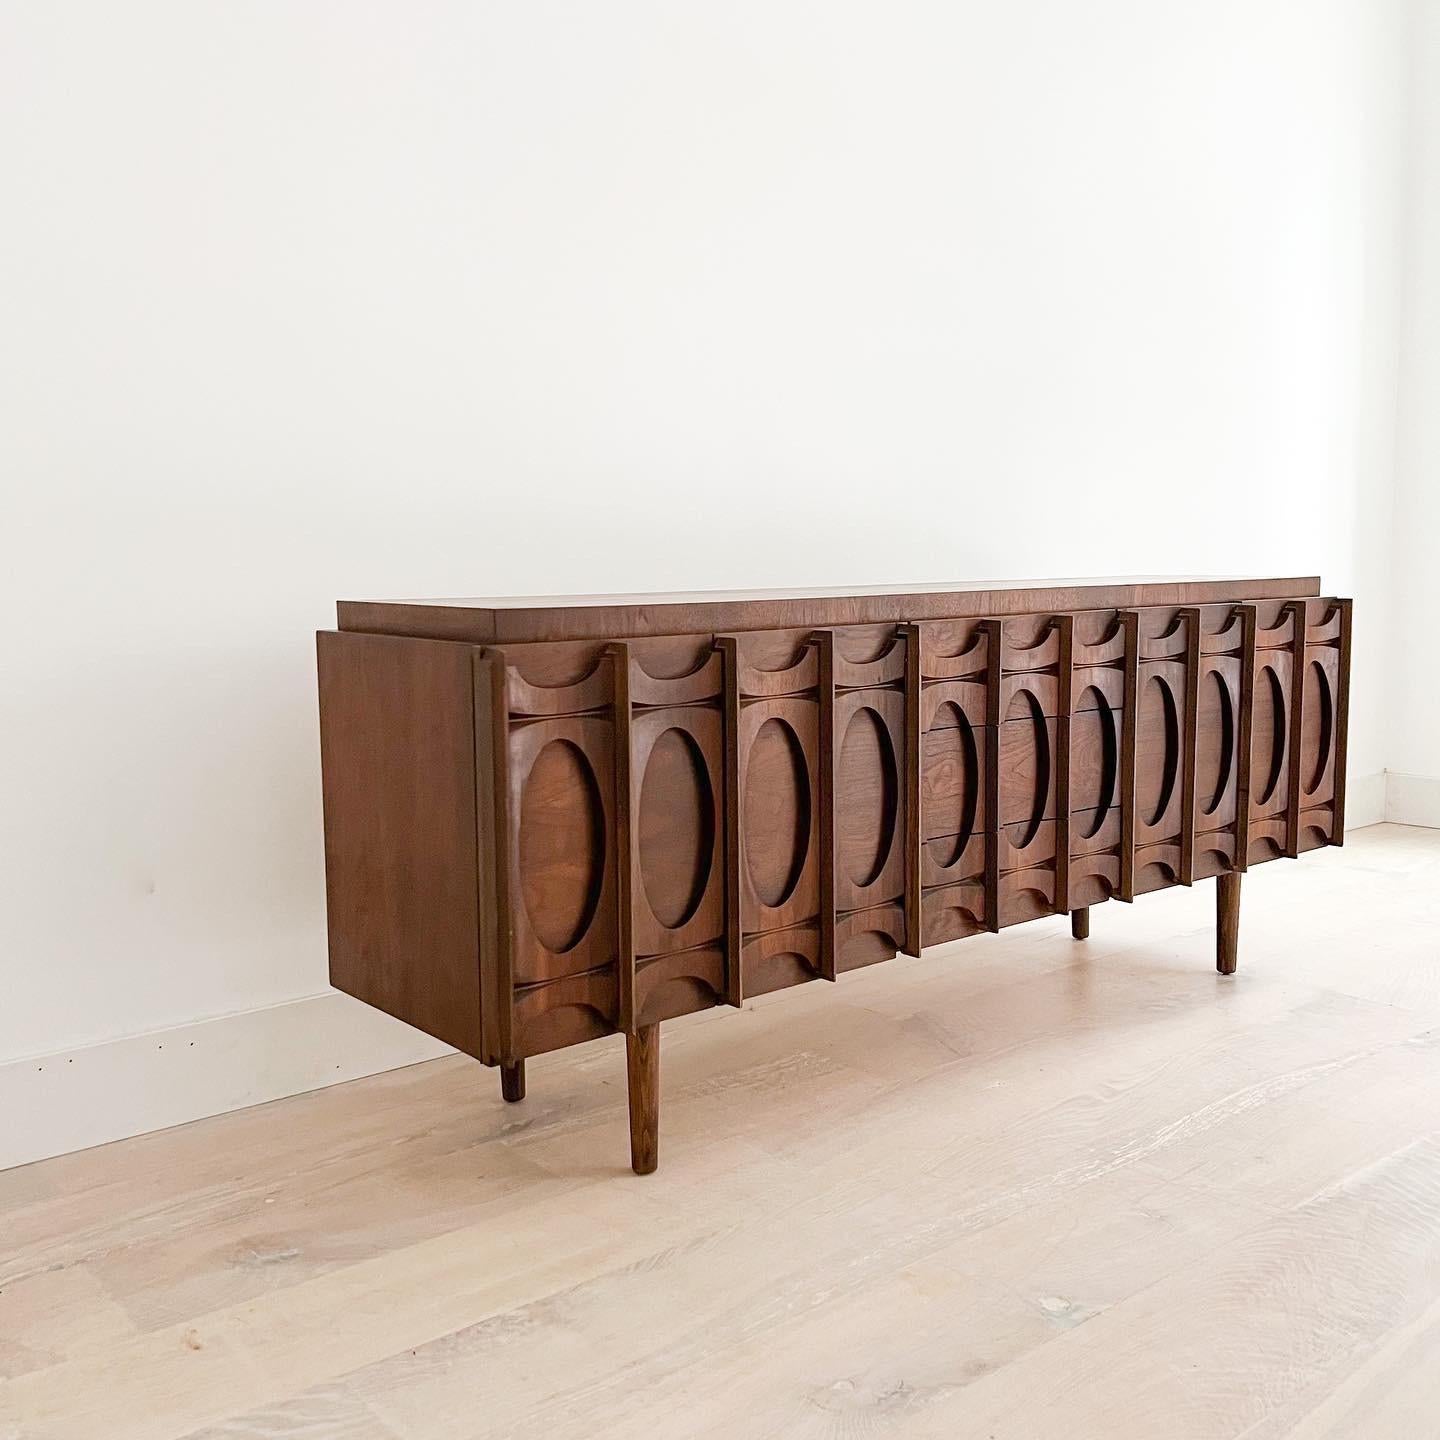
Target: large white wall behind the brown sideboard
[(423, 299)]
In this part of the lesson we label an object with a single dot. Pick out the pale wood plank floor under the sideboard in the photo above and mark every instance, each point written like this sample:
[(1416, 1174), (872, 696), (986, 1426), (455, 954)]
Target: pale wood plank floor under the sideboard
[(1025, 1187)]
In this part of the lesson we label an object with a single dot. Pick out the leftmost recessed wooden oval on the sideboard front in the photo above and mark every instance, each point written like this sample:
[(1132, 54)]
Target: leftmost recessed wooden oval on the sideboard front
[(562, 846)]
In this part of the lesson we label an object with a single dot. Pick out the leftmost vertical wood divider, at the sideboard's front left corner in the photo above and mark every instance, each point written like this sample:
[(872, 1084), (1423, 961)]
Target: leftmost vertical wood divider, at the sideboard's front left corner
[(493, 824)]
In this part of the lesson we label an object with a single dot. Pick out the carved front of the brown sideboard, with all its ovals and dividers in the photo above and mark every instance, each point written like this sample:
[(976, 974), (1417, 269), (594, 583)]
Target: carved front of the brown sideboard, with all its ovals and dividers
[(675, 823)]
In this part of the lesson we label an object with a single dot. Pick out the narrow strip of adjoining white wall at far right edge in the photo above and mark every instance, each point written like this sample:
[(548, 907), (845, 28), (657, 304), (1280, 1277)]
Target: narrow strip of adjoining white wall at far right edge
[(1413, 739)]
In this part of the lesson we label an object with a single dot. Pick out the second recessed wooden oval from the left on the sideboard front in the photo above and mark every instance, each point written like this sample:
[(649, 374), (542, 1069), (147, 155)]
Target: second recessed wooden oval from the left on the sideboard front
[(676, 829)]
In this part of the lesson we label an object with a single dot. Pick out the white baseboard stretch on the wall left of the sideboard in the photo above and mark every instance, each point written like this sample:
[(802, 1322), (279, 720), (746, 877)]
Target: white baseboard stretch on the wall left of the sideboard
[(81, 1098)]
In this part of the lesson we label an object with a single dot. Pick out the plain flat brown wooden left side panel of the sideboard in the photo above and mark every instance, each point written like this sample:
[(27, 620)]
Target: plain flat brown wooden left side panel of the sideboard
[(398, 760)]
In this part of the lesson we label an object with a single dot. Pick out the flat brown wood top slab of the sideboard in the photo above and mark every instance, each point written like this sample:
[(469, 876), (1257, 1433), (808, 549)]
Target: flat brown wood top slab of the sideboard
[(515, 620)]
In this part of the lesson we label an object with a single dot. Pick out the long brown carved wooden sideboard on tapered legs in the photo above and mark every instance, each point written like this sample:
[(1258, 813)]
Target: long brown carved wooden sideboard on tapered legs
[(551, 820)]
